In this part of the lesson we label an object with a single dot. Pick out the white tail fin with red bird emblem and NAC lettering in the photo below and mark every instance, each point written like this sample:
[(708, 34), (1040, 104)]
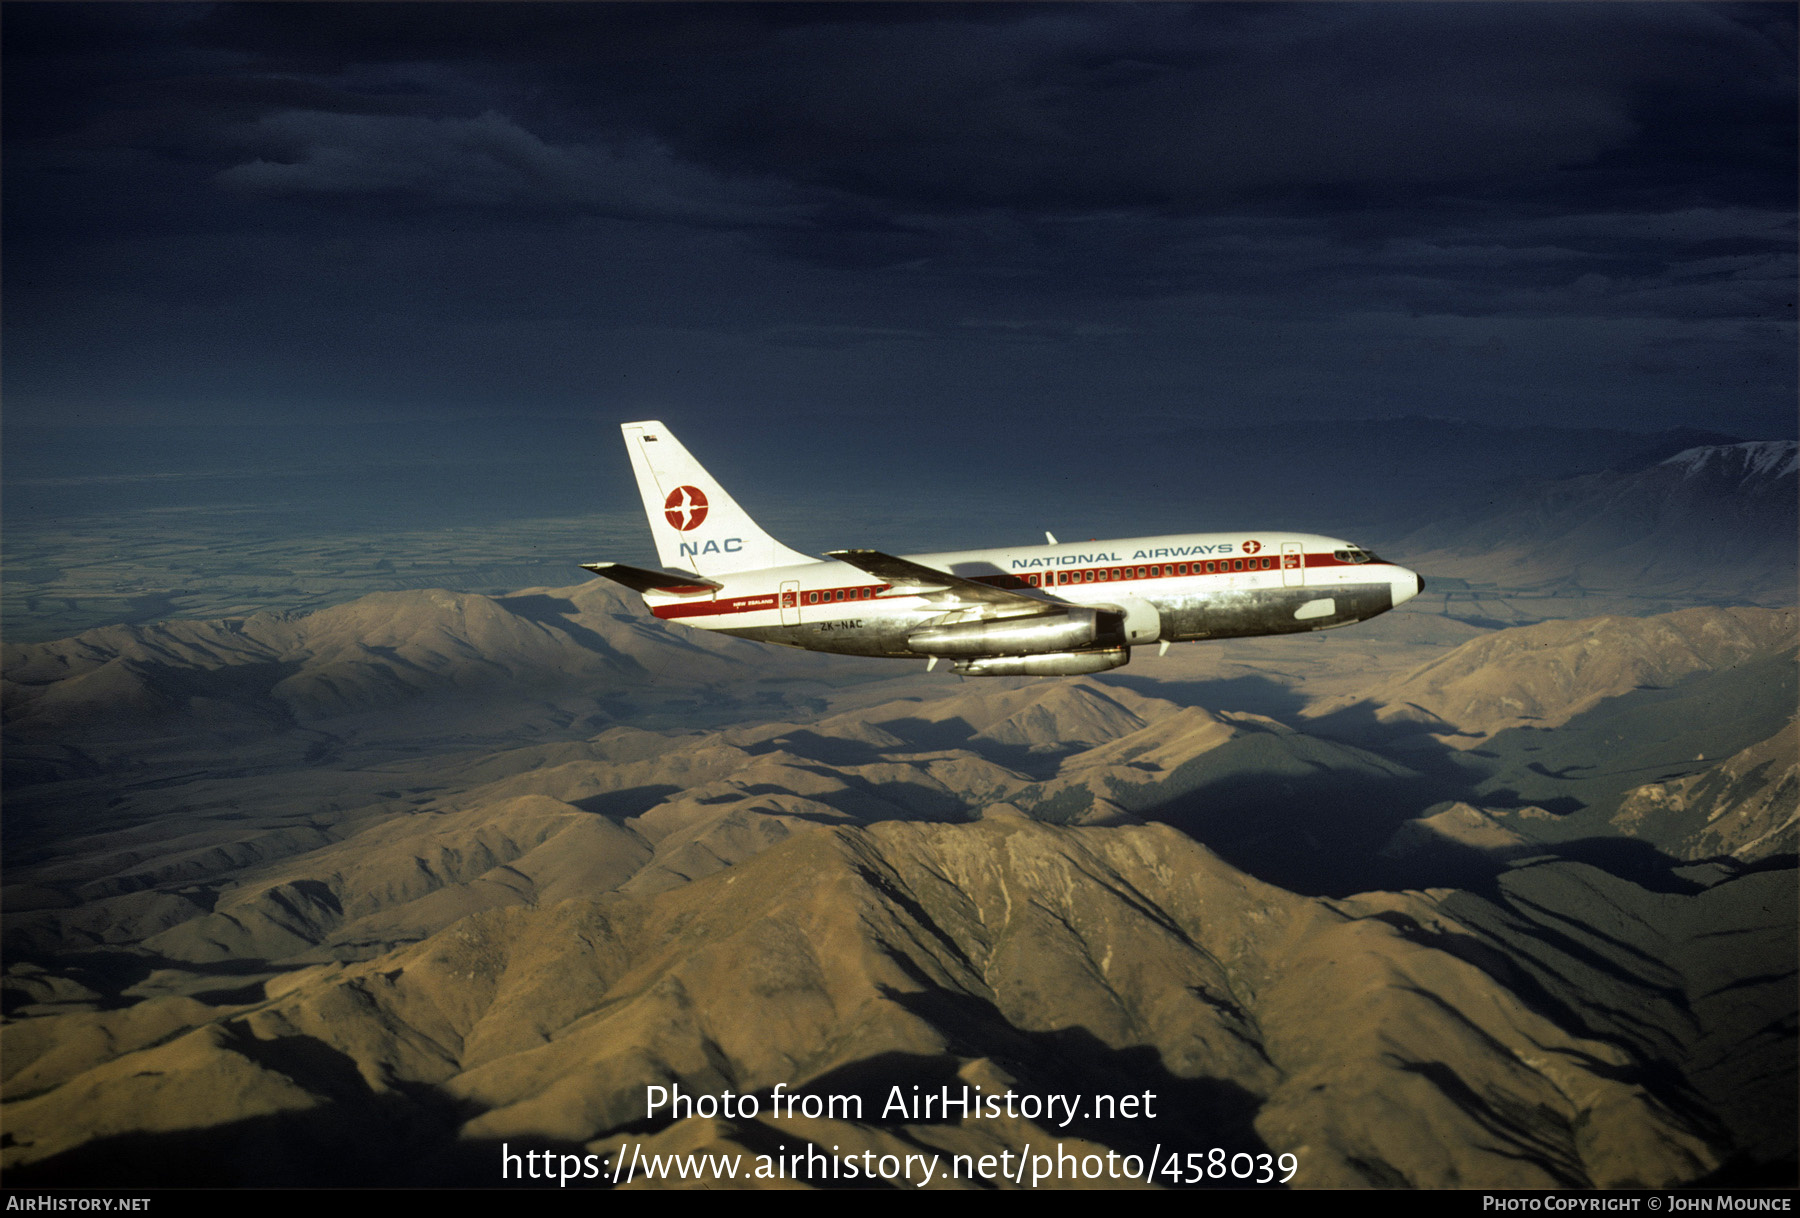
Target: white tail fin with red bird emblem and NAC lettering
[(696, 523)]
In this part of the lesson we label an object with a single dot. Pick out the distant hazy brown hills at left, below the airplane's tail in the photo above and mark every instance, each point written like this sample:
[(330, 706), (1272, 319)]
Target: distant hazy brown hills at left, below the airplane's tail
[(370, 654)]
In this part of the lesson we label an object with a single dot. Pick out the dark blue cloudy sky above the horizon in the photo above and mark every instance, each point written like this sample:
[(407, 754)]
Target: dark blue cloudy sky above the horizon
[(964, 219)]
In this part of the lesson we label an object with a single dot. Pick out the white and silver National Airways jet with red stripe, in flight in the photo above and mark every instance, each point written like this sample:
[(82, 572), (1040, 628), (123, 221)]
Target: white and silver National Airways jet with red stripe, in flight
[(1039, 611)]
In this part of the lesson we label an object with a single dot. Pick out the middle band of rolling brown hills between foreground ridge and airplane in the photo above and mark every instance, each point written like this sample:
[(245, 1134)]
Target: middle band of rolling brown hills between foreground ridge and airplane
[(636, 812)]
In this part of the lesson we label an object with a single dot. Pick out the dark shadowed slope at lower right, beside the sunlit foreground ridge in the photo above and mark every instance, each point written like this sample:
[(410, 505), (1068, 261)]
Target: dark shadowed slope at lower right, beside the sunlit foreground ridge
[(1696, 980)]
